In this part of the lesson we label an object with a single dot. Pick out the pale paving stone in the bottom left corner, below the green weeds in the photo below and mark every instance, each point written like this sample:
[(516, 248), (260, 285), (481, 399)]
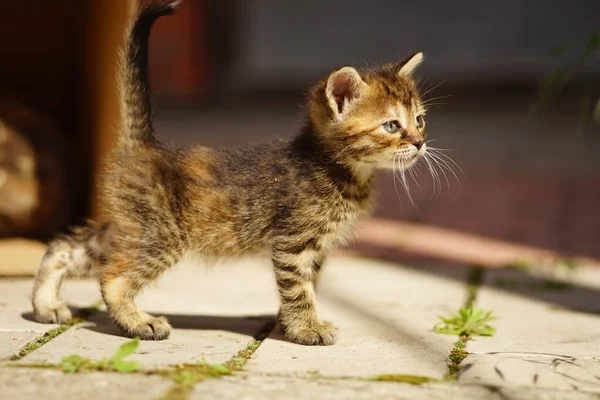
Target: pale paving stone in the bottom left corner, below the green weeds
[(35, 384)]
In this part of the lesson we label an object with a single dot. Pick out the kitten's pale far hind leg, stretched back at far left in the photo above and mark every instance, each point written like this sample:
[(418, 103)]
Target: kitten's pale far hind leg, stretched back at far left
[(79, 254)]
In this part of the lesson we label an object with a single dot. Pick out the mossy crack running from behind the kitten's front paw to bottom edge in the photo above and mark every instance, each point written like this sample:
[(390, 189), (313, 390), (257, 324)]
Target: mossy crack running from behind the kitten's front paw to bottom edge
[(186, 376)]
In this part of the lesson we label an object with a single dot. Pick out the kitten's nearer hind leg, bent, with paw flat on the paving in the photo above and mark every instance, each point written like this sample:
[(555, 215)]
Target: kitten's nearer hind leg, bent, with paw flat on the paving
[(121, 281)]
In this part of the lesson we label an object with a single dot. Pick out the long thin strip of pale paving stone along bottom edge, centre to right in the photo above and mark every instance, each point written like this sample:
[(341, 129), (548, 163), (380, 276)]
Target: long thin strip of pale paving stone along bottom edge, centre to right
[(259, 387)]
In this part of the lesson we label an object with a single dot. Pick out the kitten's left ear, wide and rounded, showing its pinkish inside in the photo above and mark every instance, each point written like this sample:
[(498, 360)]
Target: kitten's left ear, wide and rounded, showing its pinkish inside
[(343, 87)]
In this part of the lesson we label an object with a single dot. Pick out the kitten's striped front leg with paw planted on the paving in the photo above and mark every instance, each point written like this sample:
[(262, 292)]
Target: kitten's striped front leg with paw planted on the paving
[(295, 274)]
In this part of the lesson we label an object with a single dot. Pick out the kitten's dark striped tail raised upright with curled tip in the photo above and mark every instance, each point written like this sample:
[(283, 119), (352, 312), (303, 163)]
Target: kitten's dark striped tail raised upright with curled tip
[(134, 89)]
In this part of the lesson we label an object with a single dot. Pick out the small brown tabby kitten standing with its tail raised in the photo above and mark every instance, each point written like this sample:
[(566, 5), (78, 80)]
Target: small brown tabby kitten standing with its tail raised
[(297, 198)]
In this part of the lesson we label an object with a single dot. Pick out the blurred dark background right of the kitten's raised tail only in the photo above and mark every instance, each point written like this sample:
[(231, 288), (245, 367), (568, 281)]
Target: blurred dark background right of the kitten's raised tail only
[(529, 177)]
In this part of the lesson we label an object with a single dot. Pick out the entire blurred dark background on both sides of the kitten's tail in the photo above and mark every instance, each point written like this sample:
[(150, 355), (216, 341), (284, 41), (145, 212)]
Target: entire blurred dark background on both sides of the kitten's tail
[(515, 87)]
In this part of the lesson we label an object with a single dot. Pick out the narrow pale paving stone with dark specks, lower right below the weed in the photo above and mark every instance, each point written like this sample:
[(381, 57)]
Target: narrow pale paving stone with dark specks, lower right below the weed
[(519, 370)]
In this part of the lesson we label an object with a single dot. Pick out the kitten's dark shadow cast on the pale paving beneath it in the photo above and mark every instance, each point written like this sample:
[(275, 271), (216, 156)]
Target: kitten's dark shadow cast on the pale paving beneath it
[(257, 326)]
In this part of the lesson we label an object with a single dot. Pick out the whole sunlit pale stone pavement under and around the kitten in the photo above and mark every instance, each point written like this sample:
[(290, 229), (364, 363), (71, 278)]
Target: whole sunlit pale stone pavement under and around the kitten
[(546, 335)]
